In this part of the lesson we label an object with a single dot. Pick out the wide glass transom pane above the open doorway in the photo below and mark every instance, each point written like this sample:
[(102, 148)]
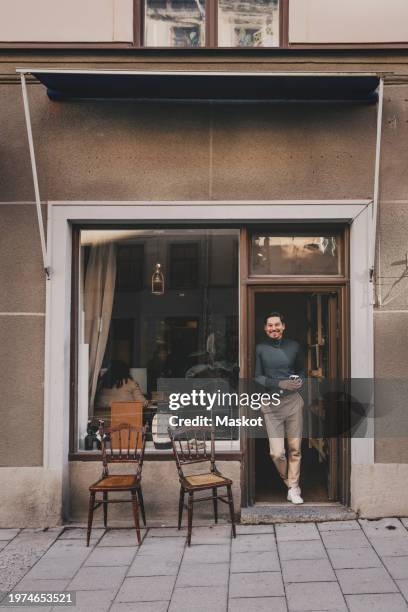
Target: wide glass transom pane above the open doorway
[(285, 255)]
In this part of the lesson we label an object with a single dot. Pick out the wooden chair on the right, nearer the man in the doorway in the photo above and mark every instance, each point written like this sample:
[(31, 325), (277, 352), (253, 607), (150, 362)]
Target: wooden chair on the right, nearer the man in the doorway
[(190, 446)]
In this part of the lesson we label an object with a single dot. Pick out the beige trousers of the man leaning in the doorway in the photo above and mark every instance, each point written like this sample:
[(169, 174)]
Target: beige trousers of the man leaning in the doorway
[(286, 421)]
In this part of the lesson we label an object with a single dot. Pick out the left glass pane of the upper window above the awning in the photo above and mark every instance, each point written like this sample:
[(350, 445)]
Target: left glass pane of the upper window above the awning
[(175, 23)]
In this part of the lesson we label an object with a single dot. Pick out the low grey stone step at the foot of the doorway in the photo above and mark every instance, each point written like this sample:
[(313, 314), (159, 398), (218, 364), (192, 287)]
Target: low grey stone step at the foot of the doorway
[(264, 513)]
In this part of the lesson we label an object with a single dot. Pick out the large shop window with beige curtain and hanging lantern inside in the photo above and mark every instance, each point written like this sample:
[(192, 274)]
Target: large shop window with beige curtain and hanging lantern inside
[(133, 343)]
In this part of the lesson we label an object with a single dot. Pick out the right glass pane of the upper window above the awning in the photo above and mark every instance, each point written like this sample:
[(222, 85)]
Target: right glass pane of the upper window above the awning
[(250, 23)]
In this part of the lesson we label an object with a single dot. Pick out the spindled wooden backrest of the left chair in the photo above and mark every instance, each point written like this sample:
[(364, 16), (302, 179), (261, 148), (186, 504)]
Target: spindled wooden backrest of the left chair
[(123, 443)]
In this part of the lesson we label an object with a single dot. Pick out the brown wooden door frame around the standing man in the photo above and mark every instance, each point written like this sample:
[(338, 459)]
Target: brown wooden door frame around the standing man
[(249, 286)]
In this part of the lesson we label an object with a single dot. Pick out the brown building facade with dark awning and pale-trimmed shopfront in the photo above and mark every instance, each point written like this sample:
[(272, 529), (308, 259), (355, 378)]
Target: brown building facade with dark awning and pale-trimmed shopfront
[(258, 153)]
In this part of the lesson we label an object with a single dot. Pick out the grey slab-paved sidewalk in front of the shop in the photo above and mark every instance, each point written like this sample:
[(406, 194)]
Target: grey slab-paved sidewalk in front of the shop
[(346, 565)]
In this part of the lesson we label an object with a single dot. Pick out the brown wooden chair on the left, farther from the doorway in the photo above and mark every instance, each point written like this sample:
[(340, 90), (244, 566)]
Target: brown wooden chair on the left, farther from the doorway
[(121, 443)]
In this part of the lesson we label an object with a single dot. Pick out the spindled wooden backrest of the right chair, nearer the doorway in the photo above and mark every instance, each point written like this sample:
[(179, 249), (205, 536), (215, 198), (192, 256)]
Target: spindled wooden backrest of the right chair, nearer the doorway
[(192, 445)]
